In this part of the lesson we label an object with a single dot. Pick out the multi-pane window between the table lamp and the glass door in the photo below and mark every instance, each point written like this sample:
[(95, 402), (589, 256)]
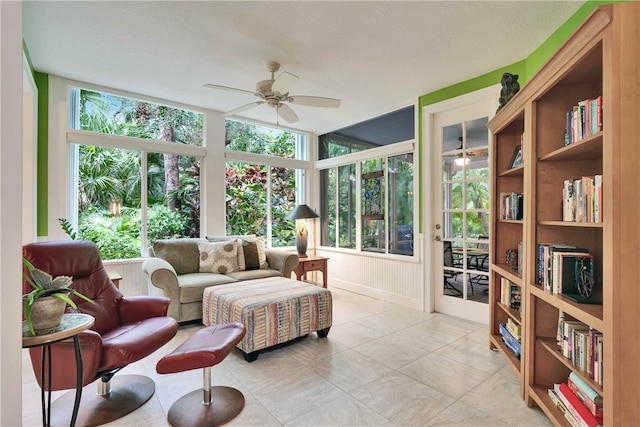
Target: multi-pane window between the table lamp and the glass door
[(368, 205)]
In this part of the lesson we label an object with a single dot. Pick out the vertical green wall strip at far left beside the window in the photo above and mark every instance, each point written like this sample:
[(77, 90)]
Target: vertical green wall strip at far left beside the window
[(42, 193)]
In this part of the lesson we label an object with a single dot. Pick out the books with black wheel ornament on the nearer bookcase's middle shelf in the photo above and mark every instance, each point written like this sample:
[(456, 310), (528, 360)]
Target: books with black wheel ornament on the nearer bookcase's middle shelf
[(567, 270)]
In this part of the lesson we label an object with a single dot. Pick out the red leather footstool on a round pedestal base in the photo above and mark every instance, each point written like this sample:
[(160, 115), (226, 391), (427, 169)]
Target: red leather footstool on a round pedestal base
[(206, 348)]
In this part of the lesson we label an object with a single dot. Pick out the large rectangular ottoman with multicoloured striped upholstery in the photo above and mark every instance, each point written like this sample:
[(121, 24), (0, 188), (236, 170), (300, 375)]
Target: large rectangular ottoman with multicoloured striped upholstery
[(274, 310)]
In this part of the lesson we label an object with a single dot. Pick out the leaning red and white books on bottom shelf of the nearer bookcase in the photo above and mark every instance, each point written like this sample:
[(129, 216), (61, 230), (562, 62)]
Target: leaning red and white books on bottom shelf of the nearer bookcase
[(579, 402)]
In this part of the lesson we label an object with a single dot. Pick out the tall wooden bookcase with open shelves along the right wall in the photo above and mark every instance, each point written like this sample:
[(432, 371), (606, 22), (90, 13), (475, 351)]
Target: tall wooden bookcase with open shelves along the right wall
[(601, 58)]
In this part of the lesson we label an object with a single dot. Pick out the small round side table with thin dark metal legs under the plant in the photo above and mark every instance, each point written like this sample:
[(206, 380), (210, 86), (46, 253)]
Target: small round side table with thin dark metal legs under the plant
[(71, 326)]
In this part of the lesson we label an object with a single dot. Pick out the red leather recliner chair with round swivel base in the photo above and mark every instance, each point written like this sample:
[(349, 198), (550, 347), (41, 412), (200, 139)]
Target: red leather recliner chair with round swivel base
[(125, 331)]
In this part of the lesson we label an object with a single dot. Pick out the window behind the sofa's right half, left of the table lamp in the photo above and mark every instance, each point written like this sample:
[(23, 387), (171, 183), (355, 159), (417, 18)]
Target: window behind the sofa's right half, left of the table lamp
[(264, 181)]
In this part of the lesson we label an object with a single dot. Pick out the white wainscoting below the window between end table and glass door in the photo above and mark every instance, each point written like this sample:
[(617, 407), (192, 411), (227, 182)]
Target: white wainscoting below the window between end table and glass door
[(385, 278)]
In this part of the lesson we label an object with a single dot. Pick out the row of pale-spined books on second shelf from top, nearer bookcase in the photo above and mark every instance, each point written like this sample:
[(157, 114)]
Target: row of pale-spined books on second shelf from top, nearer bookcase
[(582, 199)]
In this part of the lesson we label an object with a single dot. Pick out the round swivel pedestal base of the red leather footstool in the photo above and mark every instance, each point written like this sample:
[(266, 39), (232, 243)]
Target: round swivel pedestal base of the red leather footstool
[(210, 406)]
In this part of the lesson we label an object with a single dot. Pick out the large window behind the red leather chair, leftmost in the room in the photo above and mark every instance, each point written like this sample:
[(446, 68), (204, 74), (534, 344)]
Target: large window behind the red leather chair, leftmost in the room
[(137, 172)]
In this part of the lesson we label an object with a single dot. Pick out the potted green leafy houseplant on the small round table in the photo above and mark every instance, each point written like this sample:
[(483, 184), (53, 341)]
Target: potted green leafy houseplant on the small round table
[(44, 285)]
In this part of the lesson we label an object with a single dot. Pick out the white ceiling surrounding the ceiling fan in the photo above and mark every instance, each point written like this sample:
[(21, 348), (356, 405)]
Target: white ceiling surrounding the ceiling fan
[(375, 56)]
